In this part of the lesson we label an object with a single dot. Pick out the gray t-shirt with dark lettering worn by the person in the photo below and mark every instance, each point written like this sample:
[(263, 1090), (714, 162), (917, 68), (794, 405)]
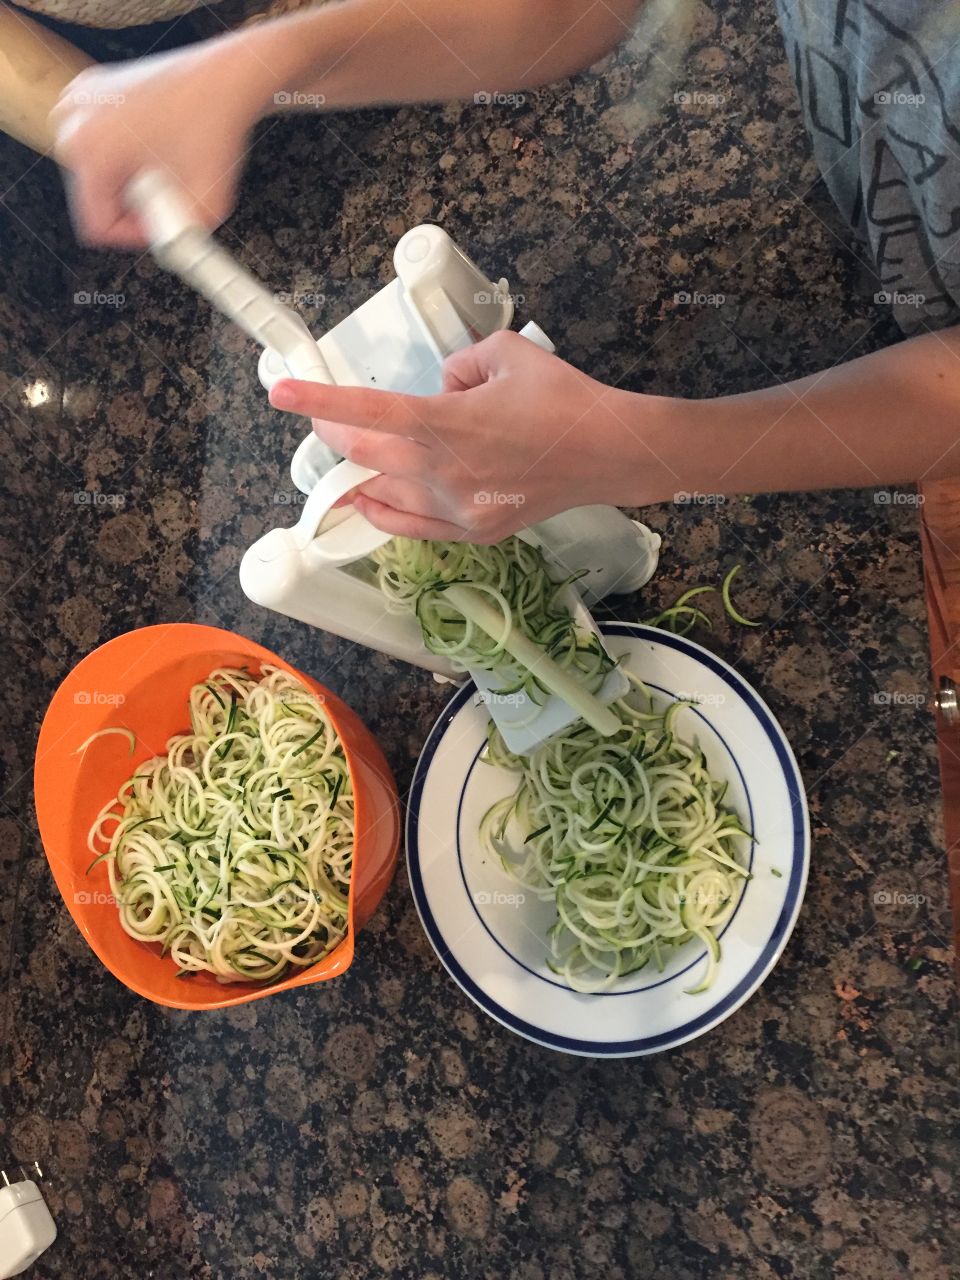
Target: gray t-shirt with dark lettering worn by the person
[(880, 85)]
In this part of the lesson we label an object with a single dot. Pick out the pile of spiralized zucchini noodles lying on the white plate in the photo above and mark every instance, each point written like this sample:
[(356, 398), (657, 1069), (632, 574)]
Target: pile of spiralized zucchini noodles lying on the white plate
[(630, 839)]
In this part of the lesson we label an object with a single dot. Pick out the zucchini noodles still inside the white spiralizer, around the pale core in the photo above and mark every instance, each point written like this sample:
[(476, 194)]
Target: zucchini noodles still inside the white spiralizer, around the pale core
[(514, 578)]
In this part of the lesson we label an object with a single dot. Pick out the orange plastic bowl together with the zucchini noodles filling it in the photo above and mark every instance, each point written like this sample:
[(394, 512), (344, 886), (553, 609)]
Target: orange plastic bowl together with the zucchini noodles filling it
[(220, 825)]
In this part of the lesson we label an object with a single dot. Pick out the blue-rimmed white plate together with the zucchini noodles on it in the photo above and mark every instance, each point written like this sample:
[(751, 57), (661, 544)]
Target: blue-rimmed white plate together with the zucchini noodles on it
[(614, 894)]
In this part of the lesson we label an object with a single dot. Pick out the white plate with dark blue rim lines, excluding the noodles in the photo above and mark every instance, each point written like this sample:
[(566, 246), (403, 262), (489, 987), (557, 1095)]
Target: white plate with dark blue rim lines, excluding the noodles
[(492, 936)]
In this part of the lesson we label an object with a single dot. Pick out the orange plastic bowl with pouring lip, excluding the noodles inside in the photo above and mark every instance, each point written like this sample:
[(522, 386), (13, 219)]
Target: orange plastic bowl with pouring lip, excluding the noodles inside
[(141, 682)]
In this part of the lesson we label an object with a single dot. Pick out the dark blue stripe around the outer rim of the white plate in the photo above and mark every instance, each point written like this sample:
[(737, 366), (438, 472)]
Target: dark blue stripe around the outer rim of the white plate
[(779, 934)]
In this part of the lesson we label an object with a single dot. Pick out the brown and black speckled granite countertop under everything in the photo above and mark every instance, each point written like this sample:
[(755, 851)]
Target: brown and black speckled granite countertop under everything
[(381, 1124)]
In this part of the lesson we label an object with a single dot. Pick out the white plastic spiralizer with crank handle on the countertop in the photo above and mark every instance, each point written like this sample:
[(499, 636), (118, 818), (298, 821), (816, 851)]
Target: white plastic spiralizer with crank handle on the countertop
[(319, 570)]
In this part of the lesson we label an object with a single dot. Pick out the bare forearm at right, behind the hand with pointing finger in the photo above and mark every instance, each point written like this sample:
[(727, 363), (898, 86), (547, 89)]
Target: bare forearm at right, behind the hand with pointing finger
[(889, 418)]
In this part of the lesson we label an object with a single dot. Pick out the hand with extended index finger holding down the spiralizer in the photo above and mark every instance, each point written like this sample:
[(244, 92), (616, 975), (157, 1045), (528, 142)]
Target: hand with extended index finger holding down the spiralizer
[(516, 436)]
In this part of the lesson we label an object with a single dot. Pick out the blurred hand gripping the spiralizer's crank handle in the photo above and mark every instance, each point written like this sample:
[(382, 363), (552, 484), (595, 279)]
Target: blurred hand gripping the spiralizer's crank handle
[(185, 112)]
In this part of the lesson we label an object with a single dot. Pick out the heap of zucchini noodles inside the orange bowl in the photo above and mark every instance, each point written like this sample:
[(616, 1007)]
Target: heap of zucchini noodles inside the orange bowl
[(234, 852)]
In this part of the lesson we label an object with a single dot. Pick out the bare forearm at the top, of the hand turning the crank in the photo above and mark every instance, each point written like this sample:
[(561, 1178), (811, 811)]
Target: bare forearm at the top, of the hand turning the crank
[(367, 52)]
